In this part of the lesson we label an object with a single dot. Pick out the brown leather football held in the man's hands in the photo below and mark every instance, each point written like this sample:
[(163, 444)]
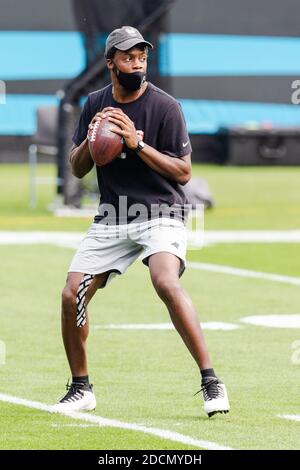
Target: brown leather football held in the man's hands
[(104, 145)]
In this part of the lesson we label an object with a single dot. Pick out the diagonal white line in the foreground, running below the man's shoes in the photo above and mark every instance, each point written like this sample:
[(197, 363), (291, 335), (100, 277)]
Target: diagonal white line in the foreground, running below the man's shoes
[(162, 433)]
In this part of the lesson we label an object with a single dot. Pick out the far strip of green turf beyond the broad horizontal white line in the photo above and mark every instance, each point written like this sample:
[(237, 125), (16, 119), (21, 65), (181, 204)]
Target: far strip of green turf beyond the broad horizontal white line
[(246, 198)]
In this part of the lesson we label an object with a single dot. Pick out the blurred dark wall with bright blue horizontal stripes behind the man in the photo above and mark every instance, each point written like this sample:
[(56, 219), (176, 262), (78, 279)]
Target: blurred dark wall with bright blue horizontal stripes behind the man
[(229, 63)]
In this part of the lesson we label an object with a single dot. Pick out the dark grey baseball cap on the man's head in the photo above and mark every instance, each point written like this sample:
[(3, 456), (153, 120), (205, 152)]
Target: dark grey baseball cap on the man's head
[(123, 39)]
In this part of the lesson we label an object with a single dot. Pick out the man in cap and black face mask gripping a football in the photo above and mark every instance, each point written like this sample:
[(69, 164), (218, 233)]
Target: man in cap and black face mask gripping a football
[(149, 177)]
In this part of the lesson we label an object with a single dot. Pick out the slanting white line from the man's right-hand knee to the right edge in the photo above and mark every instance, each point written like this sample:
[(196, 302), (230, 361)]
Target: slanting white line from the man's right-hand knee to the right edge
[(217, 268)]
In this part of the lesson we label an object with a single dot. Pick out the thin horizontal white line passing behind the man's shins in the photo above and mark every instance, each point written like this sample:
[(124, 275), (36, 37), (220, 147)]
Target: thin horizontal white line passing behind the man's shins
[(165, 326)]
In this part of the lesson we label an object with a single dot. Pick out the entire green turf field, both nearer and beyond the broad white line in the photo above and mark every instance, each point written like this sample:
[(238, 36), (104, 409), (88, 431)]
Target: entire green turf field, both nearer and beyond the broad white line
[(146, 378)]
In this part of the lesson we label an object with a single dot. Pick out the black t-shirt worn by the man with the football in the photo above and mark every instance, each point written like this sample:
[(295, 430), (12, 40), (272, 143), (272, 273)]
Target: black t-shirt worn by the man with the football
[(160, 119)]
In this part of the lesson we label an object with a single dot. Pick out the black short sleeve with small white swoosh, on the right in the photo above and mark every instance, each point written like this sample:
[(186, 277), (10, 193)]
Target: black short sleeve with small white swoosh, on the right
[(173, 137)]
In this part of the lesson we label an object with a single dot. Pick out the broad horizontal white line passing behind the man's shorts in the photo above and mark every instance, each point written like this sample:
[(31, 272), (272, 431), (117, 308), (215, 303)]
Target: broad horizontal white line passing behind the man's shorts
[(72, 239)]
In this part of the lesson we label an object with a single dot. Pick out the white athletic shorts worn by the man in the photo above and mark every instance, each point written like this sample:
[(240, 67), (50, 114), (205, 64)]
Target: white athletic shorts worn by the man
[(114, 248)]
